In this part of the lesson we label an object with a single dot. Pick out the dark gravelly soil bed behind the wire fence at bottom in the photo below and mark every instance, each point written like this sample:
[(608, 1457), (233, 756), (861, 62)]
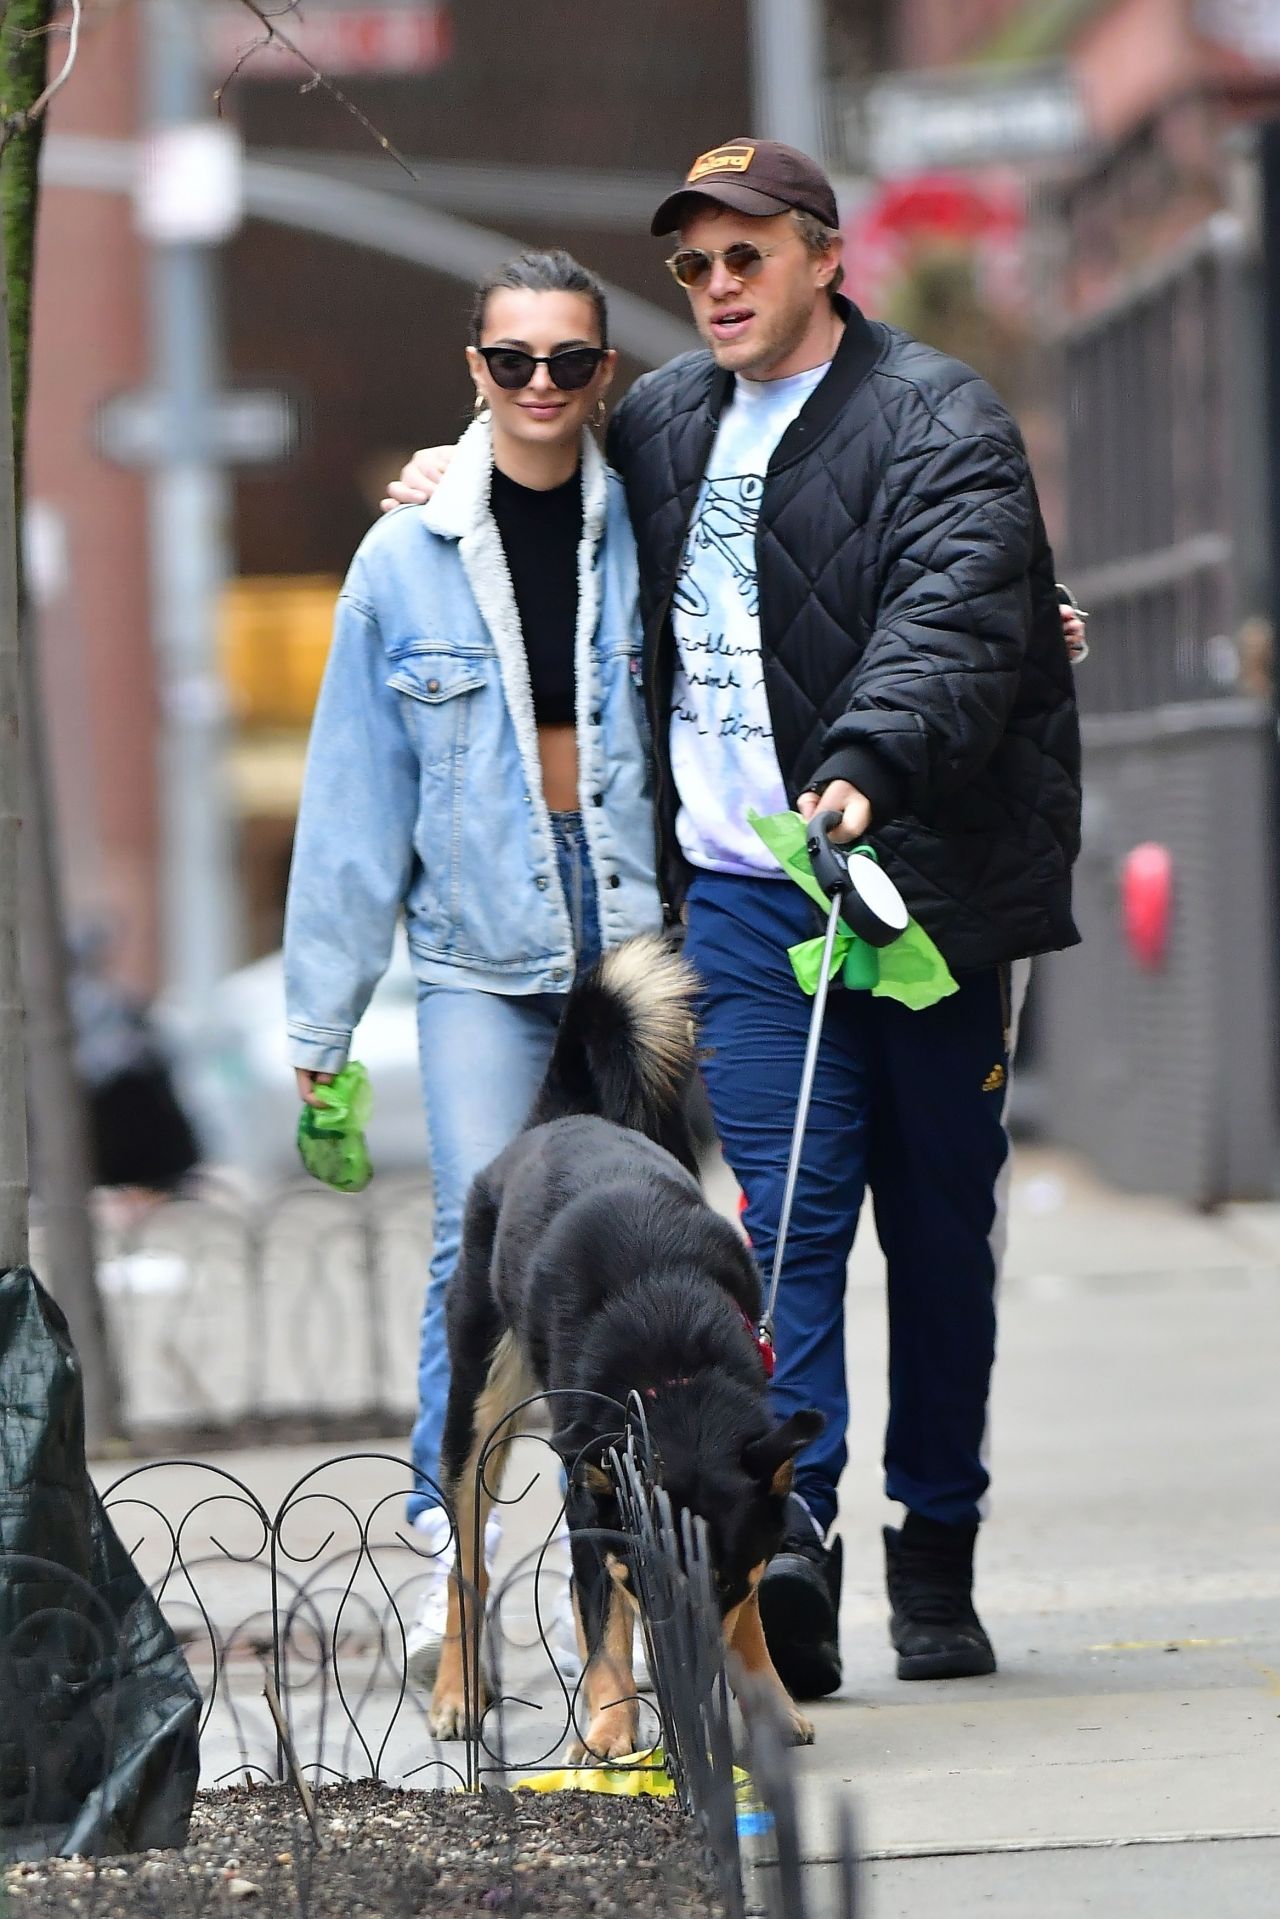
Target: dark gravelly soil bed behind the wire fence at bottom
[(396, 1857)]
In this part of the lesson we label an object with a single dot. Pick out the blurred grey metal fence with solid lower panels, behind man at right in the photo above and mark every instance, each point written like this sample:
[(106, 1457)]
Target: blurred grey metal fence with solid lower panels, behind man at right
[(1162, 1070)]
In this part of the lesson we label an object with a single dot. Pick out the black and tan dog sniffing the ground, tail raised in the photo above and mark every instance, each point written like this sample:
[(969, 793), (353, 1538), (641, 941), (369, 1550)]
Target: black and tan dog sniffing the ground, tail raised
[(594, 1266)]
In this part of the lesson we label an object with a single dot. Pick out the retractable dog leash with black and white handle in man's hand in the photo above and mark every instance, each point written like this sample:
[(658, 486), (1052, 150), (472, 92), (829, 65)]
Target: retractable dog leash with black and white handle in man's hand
[(866, 899)]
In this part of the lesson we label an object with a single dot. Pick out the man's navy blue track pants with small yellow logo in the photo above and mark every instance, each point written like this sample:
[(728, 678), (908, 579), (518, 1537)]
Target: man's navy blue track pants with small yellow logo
[(909, 1104)]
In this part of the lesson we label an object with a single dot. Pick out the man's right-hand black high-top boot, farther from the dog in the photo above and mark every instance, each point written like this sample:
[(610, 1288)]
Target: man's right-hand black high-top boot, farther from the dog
[(934, 1626)]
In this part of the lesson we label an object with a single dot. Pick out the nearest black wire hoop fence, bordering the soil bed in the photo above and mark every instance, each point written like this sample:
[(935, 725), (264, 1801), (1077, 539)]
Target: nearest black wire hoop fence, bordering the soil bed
[(316, 1601)]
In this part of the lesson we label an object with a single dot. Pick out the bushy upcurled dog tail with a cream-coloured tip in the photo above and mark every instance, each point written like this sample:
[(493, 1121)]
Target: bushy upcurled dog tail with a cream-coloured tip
[(627, 1047)]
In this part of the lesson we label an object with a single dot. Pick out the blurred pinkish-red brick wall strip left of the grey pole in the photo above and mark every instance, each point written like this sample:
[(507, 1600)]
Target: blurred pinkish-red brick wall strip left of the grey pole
[(99, 686)]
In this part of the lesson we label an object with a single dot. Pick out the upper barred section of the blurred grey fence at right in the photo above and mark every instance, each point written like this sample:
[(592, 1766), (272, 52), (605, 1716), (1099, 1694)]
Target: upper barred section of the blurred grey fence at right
[(1164, 479)]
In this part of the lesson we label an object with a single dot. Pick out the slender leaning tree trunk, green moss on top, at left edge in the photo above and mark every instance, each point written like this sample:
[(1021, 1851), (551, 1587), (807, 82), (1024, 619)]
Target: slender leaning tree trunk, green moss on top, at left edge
[(55, 1097)]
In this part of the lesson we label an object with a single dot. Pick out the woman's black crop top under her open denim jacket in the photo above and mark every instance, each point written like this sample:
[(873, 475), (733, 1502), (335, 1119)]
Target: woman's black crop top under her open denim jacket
[(542, 533)]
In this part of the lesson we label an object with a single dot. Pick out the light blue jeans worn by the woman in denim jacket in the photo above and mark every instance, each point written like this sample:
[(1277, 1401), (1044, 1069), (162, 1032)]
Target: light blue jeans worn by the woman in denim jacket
[(485, 1056)]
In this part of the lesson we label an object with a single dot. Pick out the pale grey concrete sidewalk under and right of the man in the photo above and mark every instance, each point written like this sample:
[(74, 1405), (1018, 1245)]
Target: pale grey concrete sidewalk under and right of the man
[(1127, 1757)]
